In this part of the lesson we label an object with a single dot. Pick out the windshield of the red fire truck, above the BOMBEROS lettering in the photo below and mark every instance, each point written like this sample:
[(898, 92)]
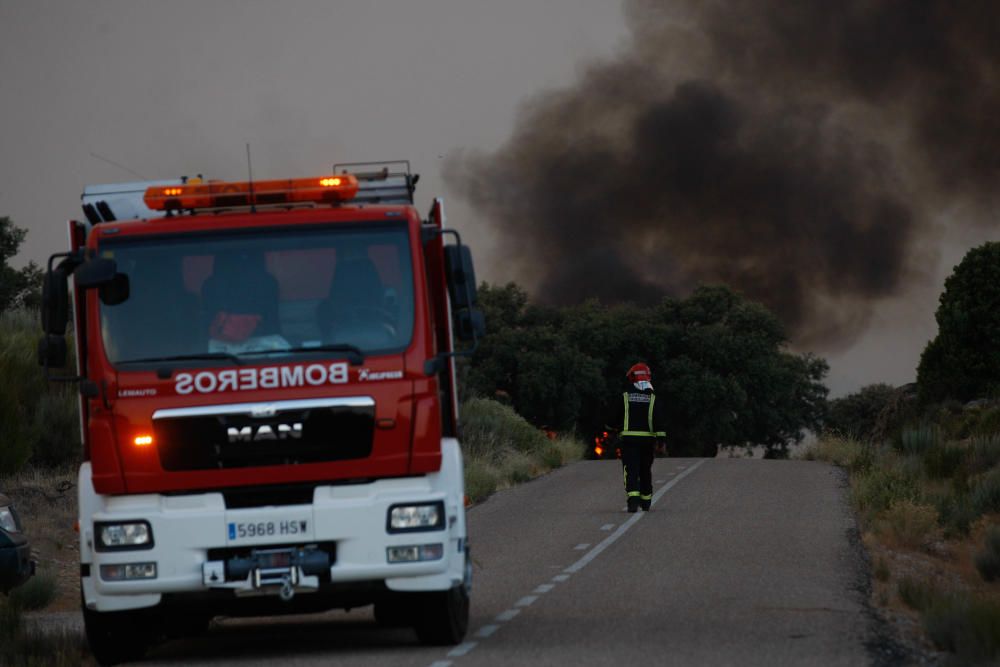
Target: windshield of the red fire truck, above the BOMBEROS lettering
[(231, 295)]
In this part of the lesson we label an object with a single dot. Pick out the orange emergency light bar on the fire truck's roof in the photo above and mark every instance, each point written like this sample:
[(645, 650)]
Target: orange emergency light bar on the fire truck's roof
[(219, 194)]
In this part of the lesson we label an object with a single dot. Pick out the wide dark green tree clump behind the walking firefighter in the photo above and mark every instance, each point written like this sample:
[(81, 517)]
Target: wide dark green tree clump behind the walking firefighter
[(718, 362)]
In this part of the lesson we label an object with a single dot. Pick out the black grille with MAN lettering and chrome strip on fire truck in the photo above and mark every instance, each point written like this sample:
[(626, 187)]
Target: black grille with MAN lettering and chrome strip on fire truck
[(264, 434)]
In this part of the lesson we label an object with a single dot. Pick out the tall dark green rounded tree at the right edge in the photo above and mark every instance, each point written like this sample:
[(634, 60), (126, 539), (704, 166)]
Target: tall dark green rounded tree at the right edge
[(963, 361)]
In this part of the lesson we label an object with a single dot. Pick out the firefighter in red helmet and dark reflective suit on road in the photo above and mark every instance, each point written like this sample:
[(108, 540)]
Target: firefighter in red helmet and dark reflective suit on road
[(639, 419)]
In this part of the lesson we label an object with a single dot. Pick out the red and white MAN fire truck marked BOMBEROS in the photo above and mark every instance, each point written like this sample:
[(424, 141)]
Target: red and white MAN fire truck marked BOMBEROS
[(268, 403)]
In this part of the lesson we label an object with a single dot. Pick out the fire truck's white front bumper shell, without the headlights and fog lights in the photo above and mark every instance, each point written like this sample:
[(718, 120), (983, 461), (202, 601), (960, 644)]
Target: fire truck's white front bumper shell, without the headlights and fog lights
[(195, 535)]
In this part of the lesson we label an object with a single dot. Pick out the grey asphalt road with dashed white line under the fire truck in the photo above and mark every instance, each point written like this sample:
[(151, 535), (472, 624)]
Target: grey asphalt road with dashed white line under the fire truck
[(740, 562)]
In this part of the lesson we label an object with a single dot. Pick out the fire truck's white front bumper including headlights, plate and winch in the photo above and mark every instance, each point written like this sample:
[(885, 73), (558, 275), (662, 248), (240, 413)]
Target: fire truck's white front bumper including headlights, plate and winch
[(407, 534)]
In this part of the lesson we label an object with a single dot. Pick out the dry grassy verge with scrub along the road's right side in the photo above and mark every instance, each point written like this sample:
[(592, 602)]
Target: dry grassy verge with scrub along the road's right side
[(926, 520)]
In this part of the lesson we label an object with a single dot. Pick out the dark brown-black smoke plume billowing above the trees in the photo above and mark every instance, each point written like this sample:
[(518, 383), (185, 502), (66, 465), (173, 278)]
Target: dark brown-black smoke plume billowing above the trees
[(798, 151)]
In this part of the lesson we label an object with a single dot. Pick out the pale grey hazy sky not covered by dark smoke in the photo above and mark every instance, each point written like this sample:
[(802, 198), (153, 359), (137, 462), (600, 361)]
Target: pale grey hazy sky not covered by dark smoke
[(172, 88)]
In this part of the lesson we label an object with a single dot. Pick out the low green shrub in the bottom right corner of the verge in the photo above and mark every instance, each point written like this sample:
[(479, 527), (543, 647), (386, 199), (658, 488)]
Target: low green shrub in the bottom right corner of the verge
[(965, 625)]
